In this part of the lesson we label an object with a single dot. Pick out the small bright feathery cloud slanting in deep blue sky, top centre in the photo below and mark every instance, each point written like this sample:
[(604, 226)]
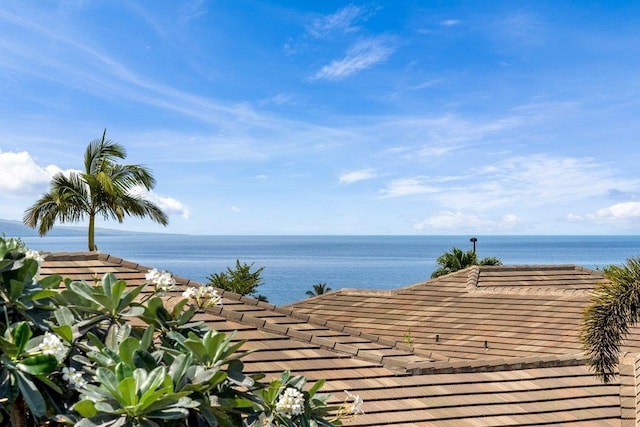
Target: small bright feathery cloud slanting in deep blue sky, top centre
[(359, 57)]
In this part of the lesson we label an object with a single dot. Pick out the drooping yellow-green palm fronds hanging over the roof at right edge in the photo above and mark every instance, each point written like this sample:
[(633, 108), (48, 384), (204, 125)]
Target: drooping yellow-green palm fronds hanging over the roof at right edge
[(614, 308)]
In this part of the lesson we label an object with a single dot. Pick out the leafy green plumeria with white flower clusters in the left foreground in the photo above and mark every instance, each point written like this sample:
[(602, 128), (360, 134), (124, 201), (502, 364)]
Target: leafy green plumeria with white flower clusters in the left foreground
[(103, 354)]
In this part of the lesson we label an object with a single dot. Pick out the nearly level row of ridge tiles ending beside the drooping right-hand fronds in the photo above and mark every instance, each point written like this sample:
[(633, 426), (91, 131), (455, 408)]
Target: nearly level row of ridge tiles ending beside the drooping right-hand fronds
[(497, 364)]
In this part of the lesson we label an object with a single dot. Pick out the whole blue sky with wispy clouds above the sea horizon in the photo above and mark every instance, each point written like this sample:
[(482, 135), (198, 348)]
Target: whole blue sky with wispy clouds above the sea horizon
[(325, 117)]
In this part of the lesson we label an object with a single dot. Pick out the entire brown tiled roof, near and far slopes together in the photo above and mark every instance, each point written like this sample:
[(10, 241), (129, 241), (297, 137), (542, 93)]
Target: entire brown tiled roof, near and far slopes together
[(382, 345)]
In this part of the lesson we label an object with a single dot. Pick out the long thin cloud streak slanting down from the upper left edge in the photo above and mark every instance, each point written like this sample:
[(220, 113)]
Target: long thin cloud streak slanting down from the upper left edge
[(91, 70)]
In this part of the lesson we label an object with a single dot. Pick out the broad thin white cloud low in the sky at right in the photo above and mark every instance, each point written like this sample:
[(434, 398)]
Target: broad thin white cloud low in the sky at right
[(519, 183)]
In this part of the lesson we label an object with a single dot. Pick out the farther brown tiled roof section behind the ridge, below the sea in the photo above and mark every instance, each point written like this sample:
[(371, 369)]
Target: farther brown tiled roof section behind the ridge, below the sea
[(476, 313)]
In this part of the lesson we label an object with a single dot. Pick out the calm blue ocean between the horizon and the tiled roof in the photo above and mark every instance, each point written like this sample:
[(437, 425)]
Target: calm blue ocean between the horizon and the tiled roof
[(293, 264)]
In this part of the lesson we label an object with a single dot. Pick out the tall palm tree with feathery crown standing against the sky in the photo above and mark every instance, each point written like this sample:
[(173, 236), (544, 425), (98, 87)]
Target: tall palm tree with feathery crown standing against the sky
[(105, 188)]
